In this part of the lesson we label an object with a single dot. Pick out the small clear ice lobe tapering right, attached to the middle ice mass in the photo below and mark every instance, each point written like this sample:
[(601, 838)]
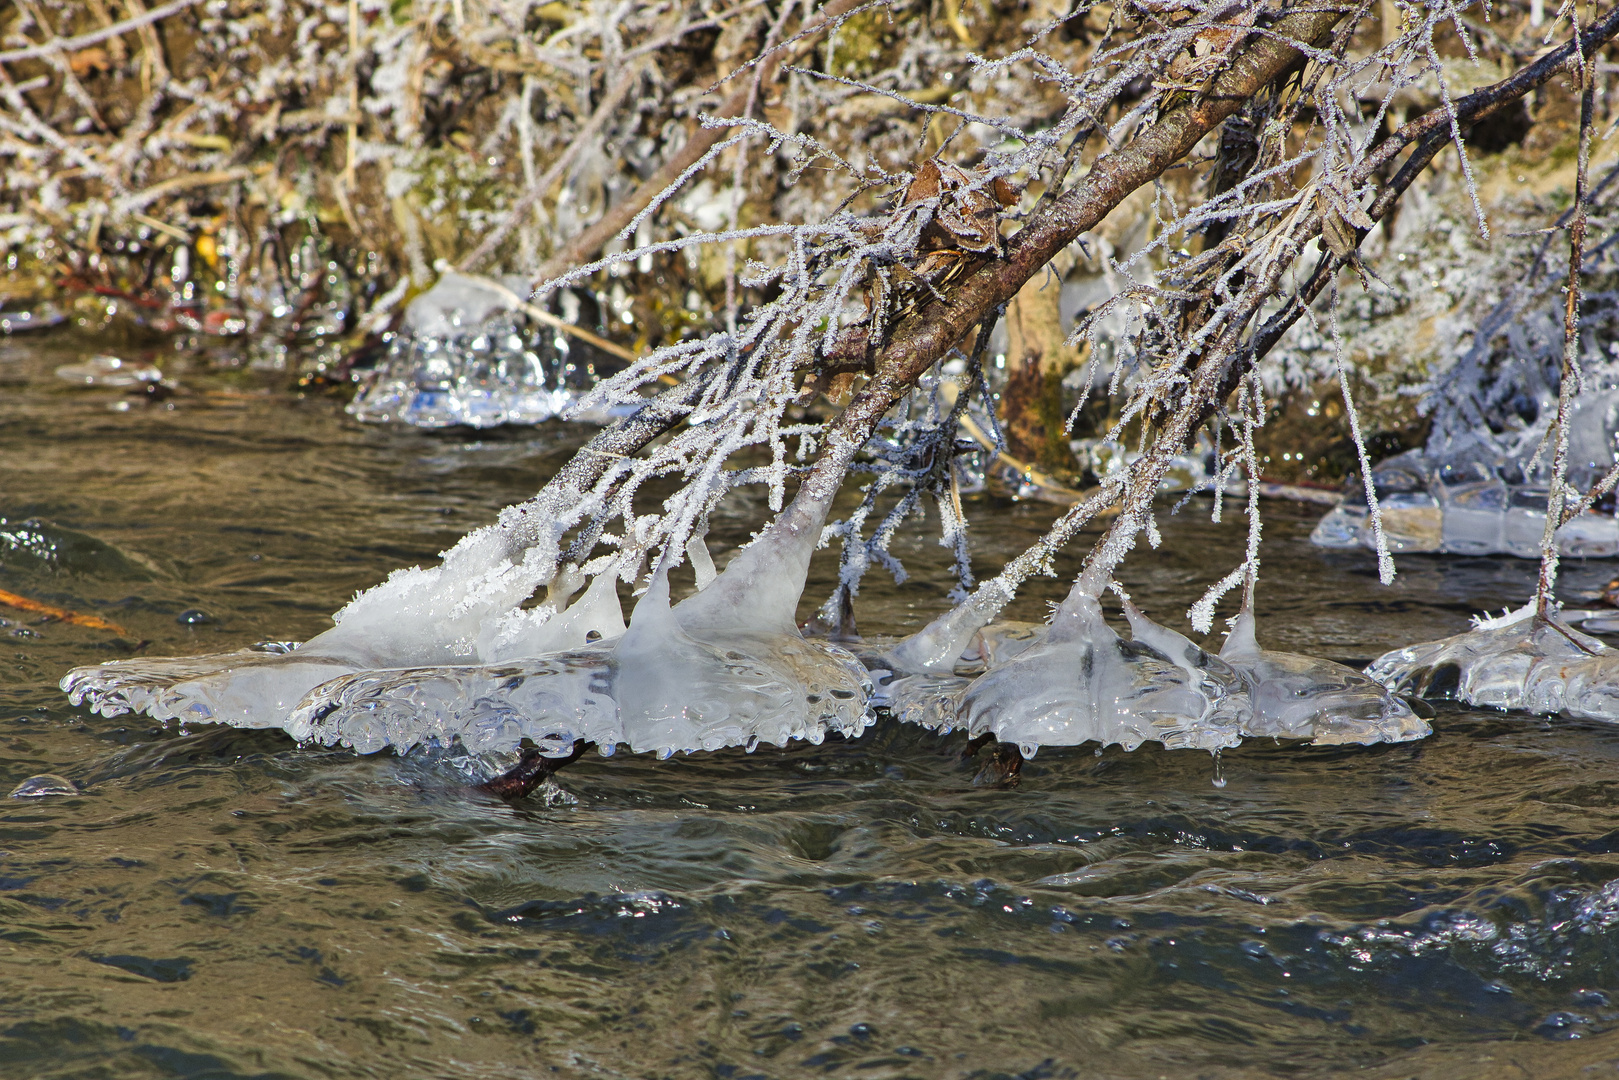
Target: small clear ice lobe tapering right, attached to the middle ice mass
[(1302, 697)]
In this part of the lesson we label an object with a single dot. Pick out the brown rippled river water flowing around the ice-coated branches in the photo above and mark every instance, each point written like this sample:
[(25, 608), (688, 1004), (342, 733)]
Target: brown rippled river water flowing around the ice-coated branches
[(224, 904)]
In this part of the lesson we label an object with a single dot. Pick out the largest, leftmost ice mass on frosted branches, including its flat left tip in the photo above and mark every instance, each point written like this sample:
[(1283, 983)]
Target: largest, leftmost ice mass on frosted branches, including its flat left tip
[(725, 668)]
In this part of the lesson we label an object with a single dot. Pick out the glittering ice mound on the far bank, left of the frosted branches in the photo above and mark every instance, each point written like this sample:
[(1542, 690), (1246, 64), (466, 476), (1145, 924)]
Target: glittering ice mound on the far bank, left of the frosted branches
[(467, 357)]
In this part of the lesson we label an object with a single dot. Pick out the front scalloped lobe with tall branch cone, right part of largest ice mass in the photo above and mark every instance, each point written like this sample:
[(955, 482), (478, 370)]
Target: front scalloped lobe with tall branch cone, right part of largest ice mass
[(726, 668)]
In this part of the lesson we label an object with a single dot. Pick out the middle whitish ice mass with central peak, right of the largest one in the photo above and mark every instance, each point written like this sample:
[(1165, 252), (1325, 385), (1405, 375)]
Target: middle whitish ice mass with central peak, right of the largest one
[(1082, 682)]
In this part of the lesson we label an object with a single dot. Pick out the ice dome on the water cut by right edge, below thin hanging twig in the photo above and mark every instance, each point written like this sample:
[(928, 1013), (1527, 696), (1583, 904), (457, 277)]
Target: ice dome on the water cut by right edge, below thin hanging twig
[(1521, 661)]
